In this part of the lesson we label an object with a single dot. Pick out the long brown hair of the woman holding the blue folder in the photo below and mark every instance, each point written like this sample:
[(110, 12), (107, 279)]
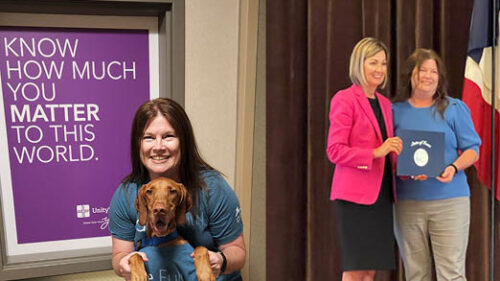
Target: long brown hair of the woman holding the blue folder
[(414, 62)]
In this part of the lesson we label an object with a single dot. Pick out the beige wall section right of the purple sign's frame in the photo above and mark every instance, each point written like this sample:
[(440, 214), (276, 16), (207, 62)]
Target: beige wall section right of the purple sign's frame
[(211, 79)]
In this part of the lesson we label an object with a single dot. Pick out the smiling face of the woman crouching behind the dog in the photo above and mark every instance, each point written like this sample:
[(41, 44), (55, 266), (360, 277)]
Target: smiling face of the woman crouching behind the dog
[(160, 149)]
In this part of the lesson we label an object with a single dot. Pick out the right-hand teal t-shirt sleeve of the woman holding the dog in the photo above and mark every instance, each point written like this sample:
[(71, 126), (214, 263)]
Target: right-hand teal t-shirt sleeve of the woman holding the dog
[(224, 211)]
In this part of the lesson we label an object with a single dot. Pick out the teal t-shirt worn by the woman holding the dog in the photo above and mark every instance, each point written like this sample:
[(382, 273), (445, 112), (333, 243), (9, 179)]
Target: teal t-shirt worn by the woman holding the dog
[(218, 220)]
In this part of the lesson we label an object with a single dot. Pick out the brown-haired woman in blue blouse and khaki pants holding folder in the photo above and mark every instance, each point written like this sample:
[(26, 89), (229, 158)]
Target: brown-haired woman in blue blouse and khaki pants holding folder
[(433, 214)]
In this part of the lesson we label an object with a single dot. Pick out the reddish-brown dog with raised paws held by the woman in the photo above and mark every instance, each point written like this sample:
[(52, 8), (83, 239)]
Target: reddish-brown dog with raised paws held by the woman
[(162, 205)]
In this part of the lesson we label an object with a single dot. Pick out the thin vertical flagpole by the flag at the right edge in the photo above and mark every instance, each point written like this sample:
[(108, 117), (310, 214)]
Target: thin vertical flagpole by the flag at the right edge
[(493, 147)]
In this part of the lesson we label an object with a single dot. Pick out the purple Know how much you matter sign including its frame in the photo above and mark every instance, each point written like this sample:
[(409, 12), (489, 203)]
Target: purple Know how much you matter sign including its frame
[(68, 91)]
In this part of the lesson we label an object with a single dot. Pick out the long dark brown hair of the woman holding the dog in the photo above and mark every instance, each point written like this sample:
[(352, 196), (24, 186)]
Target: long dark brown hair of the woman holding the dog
[(191, 161)]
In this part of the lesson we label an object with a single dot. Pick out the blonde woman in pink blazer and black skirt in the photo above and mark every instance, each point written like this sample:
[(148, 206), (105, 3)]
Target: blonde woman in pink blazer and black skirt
[(363, 149)]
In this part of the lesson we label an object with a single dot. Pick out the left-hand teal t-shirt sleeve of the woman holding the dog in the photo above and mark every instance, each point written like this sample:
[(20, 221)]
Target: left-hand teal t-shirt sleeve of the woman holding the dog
[(122, 214)]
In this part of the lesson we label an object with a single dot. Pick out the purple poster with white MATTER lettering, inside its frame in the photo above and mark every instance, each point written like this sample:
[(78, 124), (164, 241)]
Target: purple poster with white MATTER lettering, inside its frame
[(69, 98)]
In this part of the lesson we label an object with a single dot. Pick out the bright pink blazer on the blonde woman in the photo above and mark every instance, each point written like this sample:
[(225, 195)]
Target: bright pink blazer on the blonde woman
[(353, 135)]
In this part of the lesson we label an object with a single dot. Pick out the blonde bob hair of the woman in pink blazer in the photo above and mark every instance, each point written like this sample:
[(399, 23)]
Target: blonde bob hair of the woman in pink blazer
[(365, 48)]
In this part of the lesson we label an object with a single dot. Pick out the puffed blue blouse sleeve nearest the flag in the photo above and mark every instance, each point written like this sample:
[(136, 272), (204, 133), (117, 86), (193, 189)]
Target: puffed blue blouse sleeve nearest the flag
[(467, 137)]
